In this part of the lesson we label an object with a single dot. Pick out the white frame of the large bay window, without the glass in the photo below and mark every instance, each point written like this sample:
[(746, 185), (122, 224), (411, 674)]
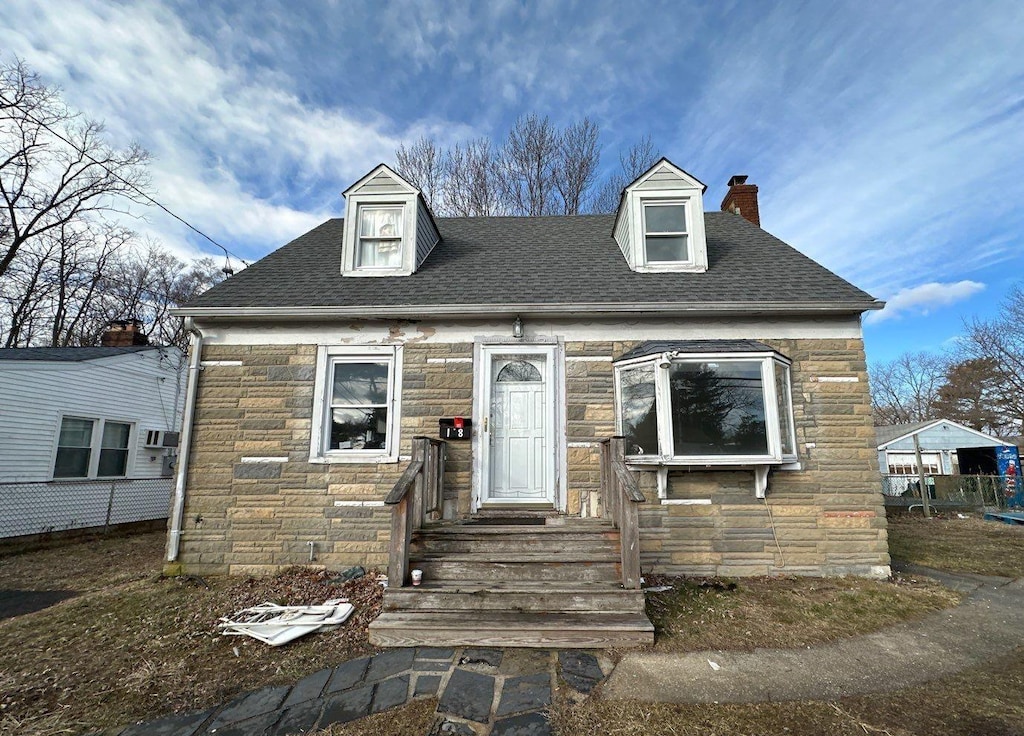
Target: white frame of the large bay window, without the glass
[(665, 434)]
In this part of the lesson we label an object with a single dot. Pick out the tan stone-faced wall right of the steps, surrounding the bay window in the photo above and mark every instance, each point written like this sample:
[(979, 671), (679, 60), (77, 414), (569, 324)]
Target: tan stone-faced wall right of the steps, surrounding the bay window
[(826, 519)]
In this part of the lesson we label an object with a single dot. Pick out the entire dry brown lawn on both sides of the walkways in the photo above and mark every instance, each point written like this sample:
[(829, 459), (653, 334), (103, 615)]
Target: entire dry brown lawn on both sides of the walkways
[(134, 645)]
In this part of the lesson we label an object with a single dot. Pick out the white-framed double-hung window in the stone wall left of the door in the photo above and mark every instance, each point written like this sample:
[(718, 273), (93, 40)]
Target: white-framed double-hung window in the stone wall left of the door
[(356, 407)]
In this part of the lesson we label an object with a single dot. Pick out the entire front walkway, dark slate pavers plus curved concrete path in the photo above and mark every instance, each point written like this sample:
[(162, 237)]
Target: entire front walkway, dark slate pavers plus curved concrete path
[(495, 692)]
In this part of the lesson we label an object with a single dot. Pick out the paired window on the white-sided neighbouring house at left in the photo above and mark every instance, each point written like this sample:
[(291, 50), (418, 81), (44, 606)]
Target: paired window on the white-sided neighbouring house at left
[(93, 449)]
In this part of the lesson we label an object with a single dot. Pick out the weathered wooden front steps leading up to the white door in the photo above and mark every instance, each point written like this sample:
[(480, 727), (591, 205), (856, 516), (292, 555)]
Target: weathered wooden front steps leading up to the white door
[(516, 585)]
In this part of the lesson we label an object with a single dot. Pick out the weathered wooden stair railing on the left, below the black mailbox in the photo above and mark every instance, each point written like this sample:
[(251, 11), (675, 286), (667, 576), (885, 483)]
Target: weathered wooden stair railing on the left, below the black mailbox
[(417, 498)]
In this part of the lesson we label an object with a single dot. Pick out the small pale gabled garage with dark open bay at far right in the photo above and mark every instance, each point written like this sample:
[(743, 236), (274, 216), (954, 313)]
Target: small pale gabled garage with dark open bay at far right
[(945, 450)]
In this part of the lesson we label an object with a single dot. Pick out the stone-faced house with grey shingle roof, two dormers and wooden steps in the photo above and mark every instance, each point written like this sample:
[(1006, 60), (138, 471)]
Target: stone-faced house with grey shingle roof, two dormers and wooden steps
[(442, 395)]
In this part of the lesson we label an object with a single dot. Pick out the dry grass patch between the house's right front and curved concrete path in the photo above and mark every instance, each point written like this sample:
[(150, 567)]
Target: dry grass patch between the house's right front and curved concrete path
[(775, 613)]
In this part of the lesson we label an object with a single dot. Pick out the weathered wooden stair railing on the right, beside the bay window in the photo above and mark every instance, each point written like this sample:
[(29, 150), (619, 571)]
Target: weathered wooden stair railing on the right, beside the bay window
[(620, 496)]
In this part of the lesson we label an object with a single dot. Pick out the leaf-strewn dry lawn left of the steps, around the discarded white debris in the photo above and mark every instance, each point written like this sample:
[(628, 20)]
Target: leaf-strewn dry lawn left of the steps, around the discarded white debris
[(142, 646)]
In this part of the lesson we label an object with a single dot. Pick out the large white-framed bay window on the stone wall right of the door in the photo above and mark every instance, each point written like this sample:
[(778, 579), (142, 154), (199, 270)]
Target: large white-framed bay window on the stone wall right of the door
[(711, 409)]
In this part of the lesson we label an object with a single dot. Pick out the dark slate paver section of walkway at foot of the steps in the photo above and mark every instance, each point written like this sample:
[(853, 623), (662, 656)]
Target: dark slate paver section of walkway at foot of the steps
[(481, 692)]
